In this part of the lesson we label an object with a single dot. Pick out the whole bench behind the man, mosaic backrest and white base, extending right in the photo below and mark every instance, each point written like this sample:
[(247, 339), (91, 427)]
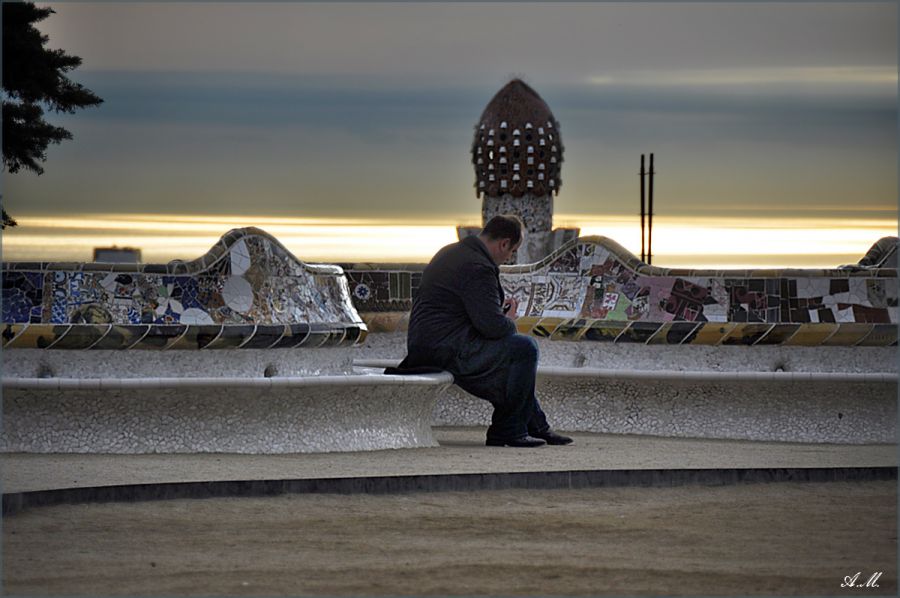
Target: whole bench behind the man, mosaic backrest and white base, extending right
[(787, 355)]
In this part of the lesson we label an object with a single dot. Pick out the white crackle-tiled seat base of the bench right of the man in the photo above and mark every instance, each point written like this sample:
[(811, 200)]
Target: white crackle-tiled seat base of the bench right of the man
[(829, 407)]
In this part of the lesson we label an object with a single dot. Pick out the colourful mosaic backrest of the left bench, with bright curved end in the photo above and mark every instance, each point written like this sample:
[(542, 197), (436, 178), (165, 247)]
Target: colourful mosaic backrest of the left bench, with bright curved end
[(248, 291)]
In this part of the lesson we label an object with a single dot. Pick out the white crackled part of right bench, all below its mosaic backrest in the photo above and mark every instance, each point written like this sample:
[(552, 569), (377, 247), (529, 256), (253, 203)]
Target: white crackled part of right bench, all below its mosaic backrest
[(817, 409)]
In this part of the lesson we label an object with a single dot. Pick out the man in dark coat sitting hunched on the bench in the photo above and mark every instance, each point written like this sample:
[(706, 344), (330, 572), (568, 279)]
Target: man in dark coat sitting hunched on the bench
[(461, 323)]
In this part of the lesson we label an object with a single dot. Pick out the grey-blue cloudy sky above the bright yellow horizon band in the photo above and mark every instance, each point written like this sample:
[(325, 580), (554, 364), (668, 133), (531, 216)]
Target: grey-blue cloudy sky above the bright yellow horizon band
[(366, 110)]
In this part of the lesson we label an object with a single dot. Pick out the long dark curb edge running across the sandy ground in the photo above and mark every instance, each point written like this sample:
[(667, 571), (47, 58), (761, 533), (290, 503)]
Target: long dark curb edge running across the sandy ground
[(19, 501)]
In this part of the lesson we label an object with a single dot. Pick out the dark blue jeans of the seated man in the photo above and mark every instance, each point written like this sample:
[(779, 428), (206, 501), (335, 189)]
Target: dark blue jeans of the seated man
[(501, 371)]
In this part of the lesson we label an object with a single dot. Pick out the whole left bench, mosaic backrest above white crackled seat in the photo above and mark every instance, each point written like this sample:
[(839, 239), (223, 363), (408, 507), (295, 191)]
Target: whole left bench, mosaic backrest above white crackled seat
[(131, 358)]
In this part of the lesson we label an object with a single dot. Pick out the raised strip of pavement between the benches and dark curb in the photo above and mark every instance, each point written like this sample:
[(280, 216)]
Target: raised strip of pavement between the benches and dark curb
[(461, 462)]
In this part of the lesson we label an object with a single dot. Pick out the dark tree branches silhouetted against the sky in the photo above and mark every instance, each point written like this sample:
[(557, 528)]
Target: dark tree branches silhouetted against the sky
[(34, 77)]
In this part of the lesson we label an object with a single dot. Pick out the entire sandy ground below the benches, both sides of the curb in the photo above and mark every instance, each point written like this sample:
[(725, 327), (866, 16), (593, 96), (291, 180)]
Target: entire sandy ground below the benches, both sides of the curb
[(705, 536)]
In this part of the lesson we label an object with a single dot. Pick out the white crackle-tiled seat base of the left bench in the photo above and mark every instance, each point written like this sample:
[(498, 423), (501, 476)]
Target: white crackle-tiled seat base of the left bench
[(317, 413)]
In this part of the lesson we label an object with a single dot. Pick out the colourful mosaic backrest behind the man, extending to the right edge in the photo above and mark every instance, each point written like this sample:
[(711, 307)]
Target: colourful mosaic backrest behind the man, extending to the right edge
[(593, 289)]
